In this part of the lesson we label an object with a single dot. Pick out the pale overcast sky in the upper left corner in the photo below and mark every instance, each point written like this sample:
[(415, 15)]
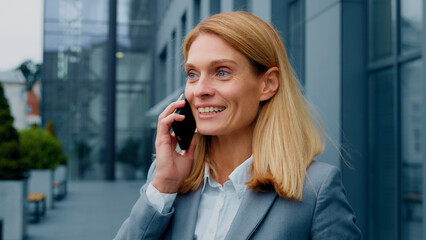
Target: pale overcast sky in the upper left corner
[(21, 32)]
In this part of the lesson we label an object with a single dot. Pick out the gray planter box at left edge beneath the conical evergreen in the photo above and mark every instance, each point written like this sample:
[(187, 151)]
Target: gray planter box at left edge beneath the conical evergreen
[(13, 208)]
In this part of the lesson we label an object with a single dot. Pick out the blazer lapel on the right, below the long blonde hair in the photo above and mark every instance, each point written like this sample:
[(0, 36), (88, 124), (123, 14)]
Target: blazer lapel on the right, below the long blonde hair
[(253, 209)]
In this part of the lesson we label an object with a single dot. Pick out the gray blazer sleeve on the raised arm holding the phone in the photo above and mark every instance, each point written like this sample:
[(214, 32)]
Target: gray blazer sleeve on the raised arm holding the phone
[(144, 222)]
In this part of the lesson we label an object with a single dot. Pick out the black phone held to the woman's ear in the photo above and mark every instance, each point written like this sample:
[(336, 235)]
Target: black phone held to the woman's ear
[(185, 129)]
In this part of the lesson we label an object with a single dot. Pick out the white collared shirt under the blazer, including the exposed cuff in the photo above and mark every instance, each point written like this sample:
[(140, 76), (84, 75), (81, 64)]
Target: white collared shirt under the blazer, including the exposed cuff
[(218, 205)]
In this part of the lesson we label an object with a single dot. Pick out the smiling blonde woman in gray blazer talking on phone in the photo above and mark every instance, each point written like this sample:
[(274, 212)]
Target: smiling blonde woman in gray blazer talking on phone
[(249, 172)]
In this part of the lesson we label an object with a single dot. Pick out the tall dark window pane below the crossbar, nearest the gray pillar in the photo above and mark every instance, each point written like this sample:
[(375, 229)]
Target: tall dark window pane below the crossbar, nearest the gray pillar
[(383, 164)]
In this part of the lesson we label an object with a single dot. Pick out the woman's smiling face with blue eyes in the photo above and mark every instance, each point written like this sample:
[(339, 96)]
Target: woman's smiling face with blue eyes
[(222, 88)]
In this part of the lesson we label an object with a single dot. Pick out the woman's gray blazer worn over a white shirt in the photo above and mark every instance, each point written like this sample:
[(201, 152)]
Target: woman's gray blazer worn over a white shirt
[(324, 213)]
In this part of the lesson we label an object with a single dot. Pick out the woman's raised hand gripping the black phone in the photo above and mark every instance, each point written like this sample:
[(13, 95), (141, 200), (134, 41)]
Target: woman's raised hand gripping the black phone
[(171, 167)]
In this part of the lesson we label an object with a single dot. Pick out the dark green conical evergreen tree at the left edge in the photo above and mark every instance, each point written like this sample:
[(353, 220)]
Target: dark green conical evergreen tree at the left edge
[(12, 165)]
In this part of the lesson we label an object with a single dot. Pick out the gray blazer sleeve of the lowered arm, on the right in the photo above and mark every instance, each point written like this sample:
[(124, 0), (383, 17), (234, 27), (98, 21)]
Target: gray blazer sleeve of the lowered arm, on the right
[(333, 216)]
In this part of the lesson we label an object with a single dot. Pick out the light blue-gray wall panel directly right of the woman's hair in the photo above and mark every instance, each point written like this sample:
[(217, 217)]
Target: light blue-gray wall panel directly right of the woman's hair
[(323, 69)]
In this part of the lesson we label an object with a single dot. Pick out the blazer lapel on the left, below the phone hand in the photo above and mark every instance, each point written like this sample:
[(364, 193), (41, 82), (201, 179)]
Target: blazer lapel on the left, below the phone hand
[(185, 216)]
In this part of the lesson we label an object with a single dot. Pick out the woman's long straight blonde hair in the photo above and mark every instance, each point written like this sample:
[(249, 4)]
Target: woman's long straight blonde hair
[(285, 137)]
